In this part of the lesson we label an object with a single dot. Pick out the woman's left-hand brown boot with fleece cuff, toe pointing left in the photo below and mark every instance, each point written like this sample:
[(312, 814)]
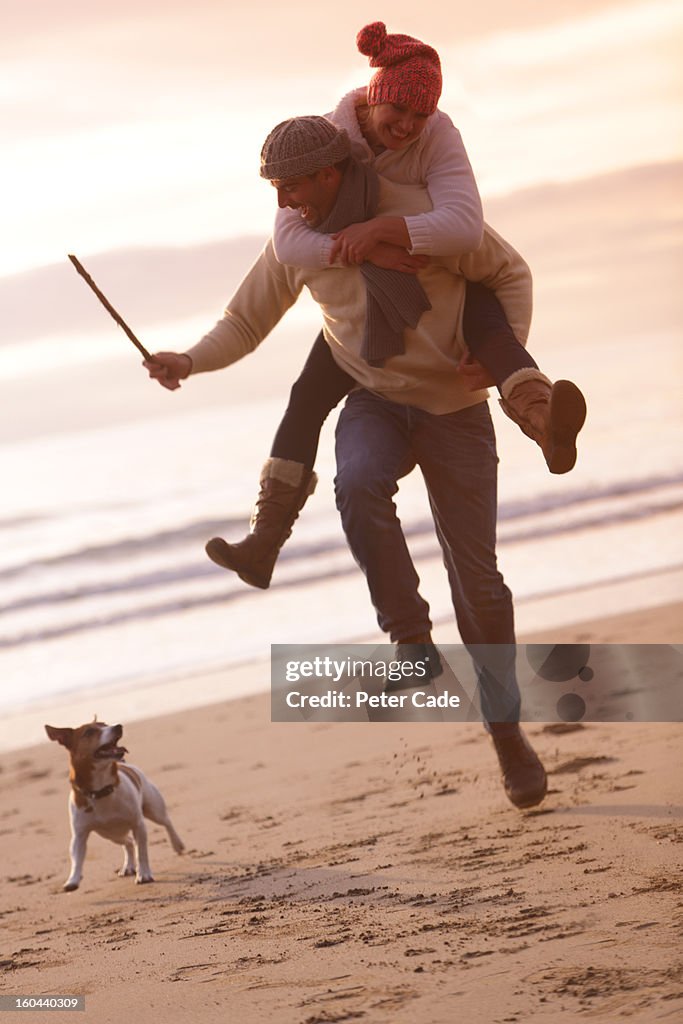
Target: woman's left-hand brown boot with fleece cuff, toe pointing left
[(285, 488)]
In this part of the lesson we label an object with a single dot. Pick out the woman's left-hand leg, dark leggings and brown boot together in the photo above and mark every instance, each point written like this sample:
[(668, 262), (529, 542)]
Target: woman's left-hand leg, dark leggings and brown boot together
[(288, 478)]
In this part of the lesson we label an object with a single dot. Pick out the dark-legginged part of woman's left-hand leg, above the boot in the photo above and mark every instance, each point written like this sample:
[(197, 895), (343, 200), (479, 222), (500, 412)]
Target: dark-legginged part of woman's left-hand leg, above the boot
[(320, 388)]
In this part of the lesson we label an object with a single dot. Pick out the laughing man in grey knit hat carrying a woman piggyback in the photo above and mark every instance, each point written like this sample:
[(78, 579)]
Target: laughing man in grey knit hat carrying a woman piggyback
[(412, 408)]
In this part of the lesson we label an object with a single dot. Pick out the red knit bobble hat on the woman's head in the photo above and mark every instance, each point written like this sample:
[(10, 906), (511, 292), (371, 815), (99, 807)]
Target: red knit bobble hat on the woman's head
[(410, 71)]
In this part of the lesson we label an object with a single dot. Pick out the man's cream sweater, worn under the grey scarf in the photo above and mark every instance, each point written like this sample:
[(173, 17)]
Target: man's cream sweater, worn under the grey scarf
[(425, 374)]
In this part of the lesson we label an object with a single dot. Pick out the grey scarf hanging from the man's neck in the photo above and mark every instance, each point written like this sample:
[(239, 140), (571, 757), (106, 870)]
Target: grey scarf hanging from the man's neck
[(396, 301)]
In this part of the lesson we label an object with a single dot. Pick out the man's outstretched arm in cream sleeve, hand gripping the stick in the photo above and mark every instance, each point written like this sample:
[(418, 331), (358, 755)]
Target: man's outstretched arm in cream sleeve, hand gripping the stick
[(260, 304)]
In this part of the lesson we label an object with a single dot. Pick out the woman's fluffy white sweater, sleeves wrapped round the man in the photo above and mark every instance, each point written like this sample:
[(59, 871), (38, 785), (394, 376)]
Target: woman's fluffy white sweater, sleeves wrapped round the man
[(437, 159)]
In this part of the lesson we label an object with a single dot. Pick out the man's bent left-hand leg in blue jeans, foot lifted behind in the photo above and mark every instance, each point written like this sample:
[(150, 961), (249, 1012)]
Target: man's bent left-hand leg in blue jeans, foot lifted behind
[(373, 453)]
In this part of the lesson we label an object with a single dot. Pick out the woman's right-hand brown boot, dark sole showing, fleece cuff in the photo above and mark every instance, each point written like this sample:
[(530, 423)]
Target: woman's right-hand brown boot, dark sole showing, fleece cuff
[(551, 414)]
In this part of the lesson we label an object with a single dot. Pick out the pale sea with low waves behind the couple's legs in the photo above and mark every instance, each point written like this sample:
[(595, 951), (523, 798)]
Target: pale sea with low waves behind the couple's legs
[(105, 582)]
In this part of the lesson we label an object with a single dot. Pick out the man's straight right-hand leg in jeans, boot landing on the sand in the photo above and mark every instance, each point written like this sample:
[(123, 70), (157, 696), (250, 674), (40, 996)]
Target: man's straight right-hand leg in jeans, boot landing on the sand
[(457, 456)]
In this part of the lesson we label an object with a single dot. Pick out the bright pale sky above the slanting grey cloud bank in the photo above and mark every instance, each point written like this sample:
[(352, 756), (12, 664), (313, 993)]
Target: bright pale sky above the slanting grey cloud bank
[(140, 123)]
